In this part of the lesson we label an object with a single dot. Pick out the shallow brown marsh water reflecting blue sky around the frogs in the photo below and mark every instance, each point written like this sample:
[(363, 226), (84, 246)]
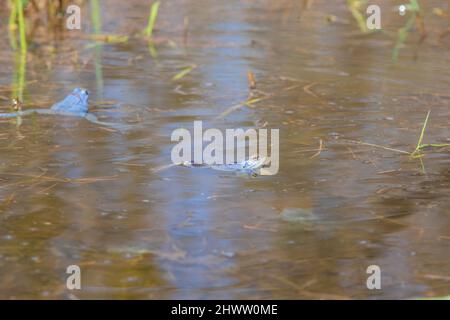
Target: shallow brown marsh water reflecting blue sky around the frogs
[(73, 193)]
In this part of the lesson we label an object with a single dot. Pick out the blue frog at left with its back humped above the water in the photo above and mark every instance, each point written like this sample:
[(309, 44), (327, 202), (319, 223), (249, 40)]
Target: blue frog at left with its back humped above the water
[(76, 104)]
